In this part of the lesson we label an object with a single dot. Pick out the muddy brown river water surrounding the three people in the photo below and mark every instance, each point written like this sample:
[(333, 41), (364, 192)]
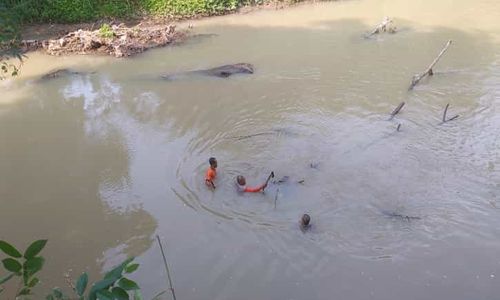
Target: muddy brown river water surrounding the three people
[(99, 163)]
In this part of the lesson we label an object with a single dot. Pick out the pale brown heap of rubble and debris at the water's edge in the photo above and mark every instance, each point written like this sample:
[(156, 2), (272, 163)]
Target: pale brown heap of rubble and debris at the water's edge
[(120, 41)]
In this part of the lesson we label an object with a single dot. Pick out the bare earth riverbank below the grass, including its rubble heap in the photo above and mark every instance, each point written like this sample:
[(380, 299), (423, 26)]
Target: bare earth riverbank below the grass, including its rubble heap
[(121, 38)]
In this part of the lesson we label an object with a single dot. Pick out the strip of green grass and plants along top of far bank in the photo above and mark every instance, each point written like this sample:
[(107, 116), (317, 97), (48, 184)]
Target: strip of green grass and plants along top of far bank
[(73, 11)]
